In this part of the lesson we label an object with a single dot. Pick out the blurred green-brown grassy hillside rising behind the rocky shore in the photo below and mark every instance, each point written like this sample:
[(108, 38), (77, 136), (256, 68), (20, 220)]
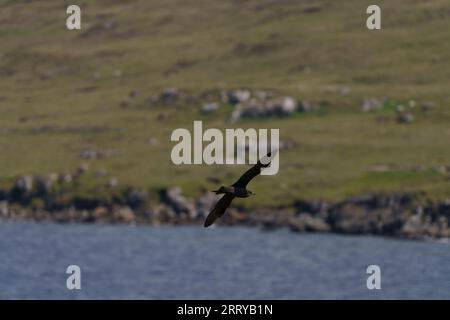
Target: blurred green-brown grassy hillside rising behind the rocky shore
[(62, 92)]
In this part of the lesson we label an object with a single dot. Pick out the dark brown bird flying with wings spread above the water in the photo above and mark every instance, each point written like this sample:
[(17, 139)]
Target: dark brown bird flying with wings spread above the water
[(238, 190)]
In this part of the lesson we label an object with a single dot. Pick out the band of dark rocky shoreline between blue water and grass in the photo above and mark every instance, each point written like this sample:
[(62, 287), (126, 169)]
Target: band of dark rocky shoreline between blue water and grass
[(53, 199)]
